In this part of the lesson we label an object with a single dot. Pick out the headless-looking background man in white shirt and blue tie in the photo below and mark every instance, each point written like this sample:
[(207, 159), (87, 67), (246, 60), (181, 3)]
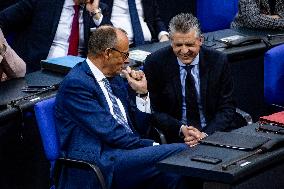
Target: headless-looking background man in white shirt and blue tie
[(139, 18)]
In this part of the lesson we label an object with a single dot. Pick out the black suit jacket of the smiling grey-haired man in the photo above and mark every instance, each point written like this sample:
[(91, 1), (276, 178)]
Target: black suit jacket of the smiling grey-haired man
[(163, 76)]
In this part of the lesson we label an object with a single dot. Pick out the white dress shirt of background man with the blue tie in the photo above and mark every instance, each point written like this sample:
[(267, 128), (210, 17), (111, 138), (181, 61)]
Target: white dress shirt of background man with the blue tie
[(120, 18)]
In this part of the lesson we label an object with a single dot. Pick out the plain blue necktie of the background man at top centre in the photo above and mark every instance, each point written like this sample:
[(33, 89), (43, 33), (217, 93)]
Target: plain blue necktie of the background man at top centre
[(136, 26)]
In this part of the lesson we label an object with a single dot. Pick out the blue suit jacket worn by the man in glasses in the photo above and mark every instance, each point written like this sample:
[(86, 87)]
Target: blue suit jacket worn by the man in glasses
[(86, 127)]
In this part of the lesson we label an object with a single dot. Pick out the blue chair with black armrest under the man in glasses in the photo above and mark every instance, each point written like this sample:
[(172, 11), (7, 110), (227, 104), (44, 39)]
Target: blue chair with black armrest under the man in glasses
[(44, 112)]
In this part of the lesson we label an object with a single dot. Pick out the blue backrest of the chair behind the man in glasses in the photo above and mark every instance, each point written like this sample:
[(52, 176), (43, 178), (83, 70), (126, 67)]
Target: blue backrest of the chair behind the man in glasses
[(44, 112)]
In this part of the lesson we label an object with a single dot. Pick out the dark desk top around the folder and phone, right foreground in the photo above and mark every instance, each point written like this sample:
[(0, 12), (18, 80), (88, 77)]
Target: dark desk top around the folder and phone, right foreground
[(182, 164)]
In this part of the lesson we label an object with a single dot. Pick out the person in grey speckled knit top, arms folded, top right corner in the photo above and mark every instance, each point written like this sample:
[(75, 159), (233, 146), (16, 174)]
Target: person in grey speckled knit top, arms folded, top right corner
[(260, 14)]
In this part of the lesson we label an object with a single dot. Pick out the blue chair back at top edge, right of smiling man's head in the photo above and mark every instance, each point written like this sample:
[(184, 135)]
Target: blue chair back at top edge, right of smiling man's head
[(216, 14)]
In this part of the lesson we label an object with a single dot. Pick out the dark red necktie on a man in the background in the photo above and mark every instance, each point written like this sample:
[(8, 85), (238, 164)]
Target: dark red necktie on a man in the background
[(74, 36)]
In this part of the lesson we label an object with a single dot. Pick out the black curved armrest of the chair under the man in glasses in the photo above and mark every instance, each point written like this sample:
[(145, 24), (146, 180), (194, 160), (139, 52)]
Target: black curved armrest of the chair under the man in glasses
[(80, 165)]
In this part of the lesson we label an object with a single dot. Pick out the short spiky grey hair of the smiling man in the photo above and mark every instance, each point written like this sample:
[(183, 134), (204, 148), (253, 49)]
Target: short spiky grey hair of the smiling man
[(184, 23)]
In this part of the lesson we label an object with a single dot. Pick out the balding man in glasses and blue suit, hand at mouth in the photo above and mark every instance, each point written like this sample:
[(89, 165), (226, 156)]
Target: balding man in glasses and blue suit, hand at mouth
[(97, 121)]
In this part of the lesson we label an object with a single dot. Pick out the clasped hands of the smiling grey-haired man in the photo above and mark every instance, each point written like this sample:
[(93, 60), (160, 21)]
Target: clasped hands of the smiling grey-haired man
[(192, 135)]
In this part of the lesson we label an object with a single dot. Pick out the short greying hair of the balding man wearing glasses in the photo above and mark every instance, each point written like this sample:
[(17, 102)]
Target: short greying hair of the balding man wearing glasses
[(102, 38)]
